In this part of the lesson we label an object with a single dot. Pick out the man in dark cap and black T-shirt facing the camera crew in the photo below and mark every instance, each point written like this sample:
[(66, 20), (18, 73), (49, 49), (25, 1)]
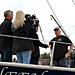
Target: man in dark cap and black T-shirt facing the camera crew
[(61, 52)]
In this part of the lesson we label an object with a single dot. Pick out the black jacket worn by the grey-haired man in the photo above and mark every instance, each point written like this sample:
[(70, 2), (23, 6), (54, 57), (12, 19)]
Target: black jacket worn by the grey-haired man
[(6, 30)]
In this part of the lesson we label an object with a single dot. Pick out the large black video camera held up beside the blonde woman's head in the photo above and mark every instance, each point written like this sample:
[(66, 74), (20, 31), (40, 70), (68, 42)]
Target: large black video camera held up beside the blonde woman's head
[(30, 19)]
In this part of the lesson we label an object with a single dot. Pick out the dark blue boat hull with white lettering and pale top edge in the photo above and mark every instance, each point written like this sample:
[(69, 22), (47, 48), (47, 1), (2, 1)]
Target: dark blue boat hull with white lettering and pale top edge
[(25, 69)]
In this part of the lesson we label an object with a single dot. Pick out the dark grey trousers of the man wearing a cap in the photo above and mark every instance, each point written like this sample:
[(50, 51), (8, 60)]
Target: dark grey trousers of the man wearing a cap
[(60, 63)]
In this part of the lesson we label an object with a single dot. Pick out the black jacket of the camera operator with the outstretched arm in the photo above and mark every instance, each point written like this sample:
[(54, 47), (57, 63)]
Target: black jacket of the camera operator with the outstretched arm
[(36, 52)]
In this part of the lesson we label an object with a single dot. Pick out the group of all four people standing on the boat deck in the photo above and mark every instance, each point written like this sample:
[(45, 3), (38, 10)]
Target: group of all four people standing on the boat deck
[(27, 50)]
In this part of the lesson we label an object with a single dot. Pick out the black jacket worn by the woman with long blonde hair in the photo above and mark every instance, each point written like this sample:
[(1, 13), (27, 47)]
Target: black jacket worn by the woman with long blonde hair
[(20, 45)]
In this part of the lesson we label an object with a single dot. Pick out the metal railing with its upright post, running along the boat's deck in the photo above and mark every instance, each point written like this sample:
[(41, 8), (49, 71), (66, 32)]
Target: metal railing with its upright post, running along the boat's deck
[(51, 62)]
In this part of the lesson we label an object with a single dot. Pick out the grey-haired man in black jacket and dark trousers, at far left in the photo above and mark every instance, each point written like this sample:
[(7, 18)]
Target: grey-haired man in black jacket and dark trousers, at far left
[(6, 42)]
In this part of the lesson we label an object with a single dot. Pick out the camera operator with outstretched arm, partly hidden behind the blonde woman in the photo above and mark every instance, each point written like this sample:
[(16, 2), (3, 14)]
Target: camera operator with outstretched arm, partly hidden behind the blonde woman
[(36, 53)]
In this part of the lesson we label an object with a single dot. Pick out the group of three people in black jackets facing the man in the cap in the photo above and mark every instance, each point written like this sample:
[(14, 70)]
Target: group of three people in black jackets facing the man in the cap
[(27, 51)]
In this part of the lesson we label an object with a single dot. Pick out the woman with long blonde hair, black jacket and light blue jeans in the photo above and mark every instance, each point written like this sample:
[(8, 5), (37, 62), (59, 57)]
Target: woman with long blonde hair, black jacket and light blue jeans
[(22, 47)]
